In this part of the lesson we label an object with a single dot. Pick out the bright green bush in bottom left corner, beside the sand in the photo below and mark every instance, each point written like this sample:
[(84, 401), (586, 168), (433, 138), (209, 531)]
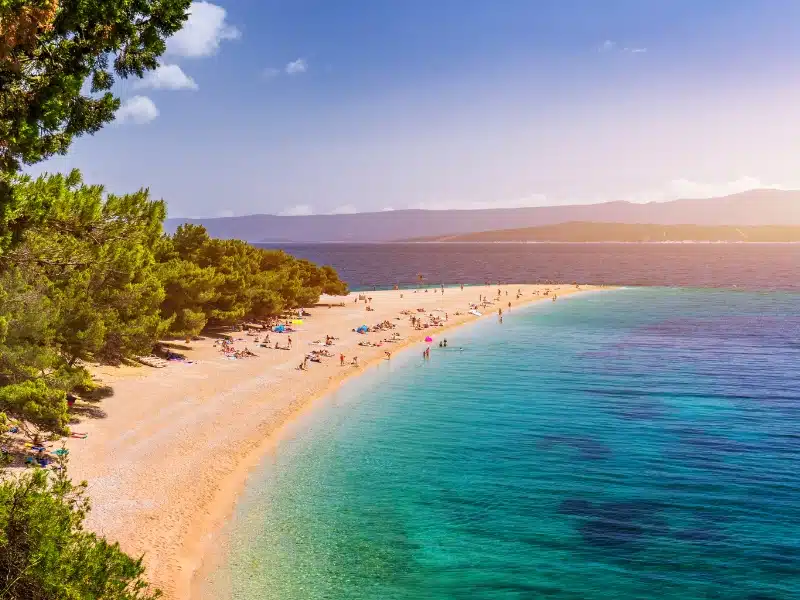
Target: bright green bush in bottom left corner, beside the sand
[(45, 554)]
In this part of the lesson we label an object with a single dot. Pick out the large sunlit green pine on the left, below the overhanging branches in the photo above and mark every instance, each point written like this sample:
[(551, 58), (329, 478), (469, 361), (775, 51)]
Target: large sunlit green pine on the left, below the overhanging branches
[(88, 263)]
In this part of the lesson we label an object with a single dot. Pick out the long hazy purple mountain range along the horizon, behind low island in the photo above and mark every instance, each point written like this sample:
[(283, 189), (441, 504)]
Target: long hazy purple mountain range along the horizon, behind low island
[(752, 208)]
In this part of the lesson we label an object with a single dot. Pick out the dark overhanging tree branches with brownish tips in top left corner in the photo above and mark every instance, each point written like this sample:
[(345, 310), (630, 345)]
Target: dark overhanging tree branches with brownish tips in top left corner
[(50, 48)]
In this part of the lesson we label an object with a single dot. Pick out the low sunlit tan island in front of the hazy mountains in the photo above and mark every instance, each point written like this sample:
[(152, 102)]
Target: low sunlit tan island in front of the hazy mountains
[(582, 231)]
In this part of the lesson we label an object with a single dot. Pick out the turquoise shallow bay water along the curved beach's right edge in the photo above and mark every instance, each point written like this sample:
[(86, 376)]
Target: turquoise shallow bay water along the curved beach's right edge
[(630, 444)]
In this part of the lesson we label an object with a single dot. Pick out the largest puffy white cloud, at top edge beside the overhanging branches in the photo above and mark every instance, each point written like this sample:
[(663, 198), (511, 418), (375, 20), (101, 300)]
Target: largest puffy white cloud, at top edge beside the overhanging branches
[(202, 32)]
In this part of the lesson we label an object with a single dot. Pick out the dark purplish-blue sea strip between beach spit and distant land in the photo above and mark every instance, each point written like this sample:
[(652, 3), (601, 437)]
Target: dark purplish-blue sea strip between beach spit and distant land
[(747, 266)]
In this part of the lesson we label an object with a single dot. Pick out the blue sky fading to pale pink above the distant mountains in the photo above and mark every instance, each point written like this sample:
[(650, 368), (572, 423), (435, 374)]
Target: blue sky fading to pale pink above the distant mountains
[(314, 106)]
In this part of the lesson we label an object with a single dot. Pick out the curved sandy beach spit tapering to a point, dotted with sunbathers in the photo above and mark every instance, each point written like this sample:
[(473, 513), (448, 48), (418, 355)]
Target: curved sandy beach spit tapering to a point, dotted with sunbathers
[(168, 453)]
